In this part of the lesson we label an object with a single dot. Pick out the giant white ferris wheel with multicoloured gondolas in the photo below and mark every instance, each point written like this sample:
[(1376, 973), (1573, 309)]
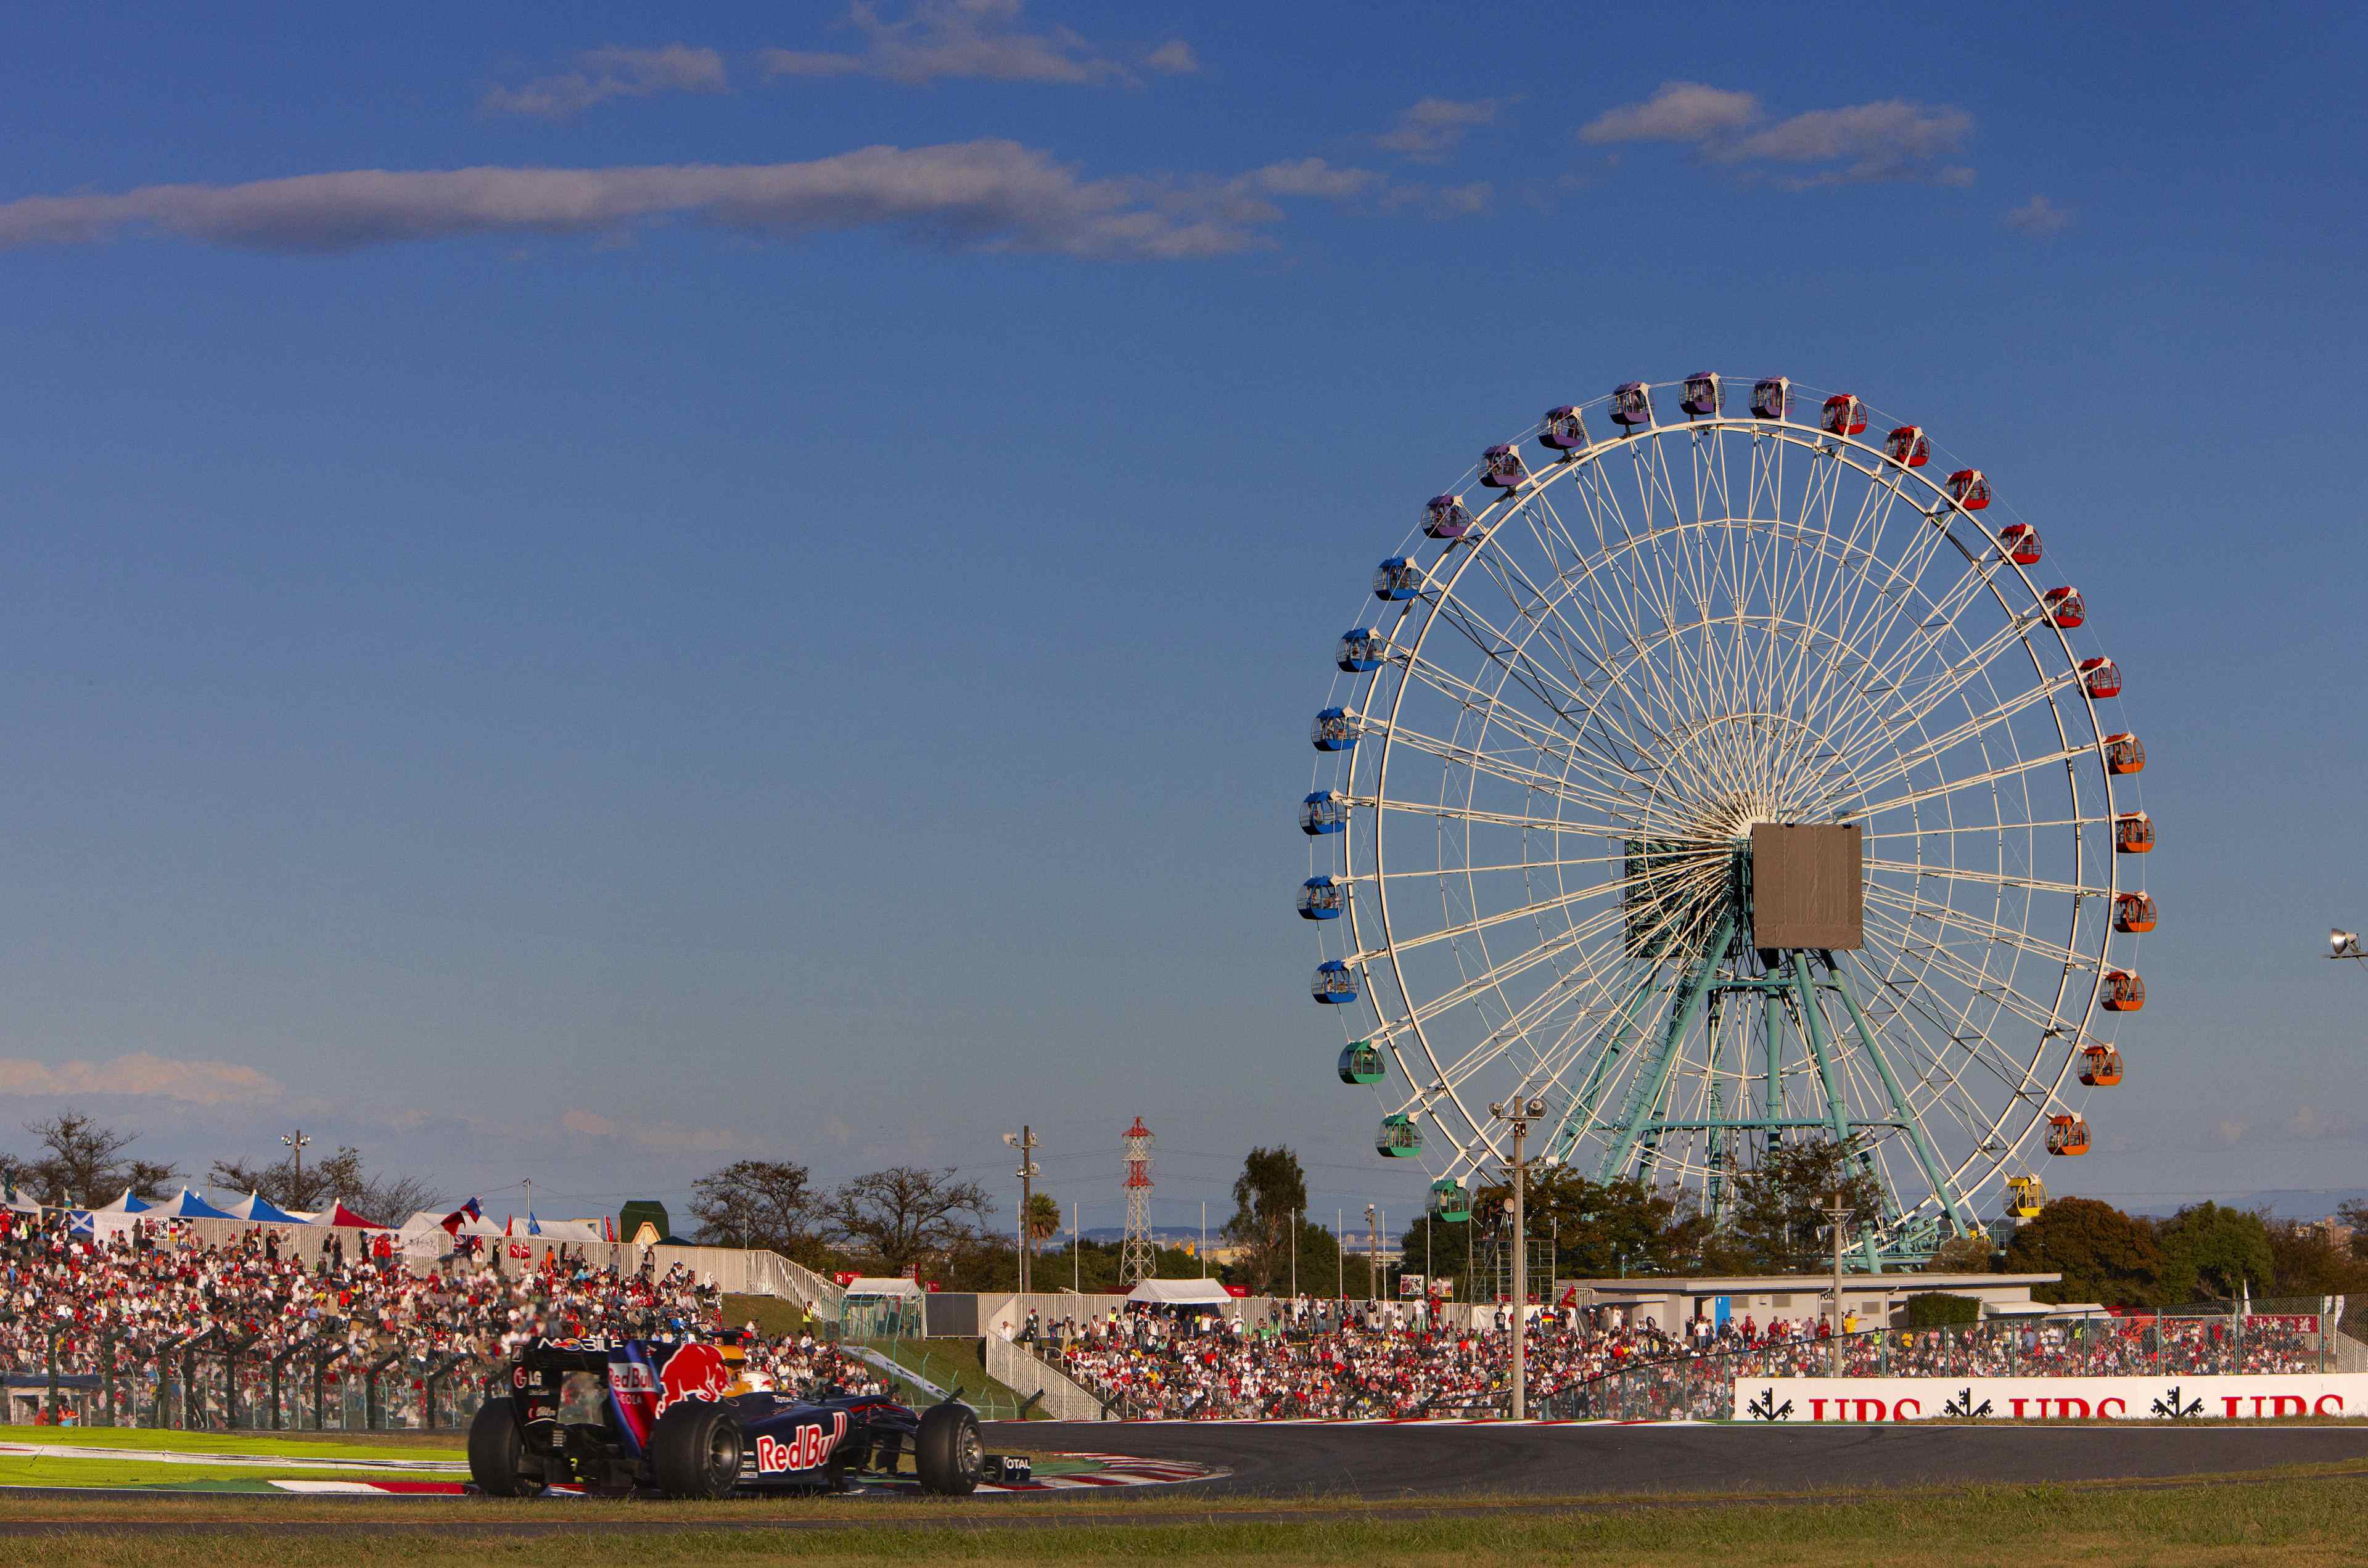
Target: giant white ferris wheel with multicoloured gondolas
[(1727, 780)]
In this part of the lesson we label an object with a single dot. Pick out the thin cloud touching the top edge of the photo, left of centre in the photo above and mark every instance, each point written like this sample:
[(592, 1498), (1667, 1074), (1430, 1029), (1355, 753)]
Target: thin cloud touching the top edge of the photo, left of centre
[(970, 41)]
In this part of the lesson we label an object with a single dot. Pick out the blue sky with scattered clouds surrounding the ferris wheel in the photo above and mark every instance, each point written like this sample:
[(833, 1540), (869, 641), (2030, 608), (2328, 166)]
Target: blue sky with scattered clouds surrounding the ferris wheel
[(593, 598)]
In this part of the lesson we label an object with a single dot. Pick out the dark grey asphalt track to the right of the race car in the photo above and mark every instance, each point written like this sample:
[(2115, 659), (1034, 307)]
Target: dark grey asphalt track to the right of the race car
[(1405, 1463)]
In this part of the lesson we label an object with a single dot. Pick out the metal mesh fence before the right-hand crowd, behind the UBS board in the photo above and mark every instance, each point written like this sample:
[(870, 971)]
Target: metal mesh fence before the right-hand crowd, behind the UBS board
[(2177, 1344)]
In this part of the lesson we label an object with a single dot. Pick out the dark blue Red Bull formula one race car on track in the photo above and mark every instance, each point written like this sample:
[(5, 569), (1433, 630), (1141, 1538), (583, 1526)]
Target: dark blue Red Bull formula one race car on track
[(681, 1420)]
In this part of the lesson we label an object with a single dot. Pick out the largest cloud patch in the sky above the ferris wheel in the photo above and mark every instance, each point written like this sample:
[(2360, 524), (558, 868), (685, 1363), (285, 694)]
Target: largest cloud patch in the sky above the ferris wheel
[(1881, 141)]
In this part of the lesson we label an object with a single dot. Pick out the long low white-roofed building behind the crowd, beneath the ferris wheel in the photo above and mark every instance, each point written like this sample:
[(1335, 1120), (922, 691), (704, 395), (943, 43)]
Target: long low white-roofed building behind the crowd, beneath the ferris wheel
[(1874, 1299)]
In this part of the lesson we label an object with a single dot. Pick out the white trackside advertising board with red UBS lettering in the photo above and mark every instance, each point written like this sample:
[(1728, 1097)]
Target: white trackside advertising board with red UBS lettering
[(2173, 1399)]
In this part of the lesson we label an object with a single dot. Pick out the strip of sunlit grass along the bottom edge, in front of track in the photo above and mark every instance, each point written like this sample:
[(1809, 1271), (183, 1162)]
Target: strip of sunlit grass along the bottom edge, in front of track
[(2289, 1519)]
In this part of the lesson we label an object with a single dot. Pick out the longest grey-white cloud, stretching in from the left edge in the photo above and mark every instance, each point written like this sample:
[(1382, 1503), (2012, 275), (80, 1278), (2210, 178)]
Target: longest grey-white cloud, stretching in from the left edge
[(974, 195)]
